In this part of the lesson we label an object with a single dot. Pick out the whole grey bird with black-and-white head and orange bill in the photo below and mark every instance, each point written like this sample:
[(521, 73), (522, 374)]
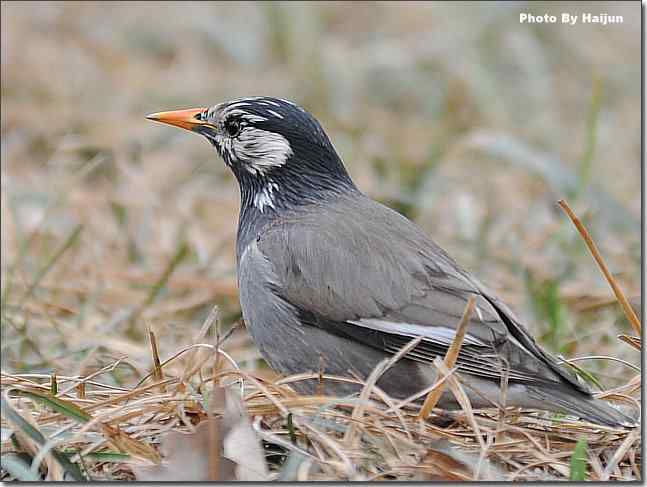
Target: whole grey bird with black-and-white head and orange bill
[(331, 280)]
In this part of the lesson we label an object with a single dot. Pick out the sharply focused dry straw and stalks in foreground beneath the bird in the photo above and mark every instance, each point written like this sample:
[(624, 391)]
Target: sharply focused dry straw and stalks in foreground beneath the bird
[(116, 433)]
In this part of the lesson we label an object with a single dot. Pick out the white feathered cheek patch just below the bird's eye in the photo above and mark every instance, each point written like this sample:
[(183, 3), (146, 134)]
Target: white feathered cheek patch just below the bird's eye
[(259, 150)]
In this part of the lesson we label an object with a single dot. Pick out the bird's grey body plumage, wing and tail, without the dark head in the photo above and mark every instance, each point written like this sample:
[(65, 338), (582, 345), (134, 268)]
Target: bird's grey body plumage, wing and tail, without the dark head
[(312, 282)]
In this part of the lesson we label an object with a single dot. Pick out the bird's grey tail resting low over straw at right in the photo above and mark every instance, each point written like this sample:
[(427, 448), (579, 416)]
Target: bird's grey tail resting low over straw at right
[(584, 406)]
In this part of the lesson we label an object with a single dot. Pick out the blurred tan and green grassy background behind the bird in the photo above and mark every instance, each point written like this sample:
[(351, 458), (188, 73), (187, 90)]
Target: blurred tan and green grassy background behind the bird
[(457, 115)]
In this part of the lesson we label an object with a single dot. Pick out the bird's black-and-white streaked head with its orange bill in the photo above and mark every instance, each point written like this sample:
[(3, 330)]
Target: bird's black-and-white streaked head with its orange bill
[(278, 151)]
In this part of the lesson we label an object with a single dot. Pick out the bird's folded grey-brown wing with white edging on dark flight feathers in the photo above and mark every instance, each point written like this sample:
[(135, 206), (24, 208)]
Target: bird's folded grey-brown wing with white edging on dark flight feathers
[(377, 278)]
